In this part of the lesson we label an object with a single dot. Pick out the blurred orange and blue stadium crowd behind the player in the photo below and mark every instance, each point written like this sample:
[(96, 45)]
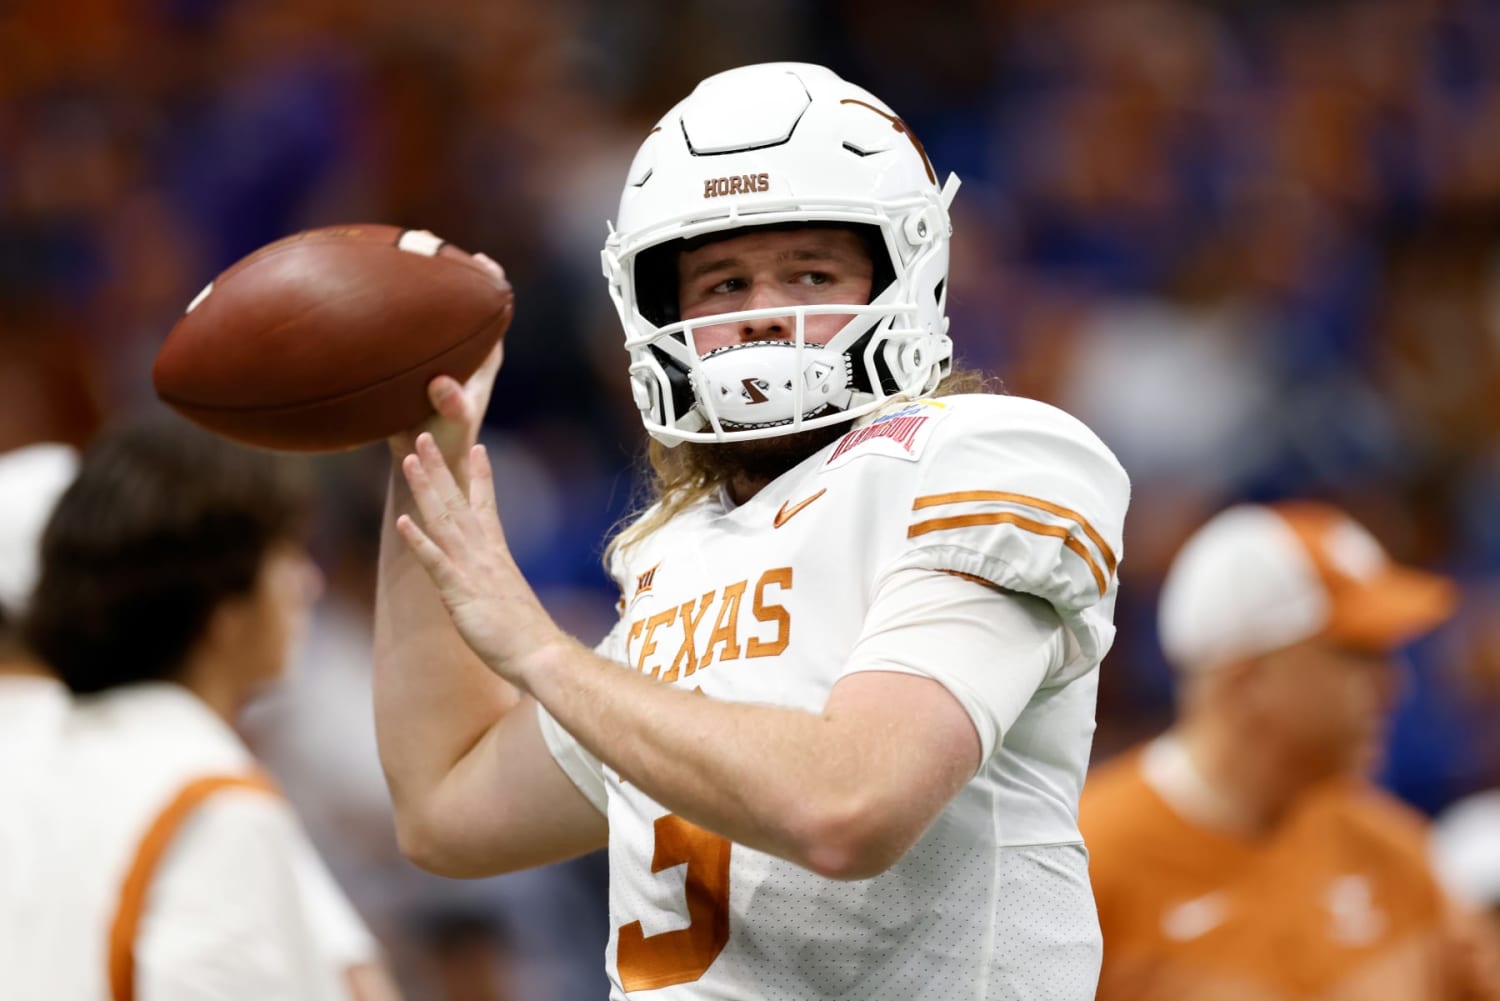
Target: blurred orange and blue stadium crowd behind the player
[(1255, 245)]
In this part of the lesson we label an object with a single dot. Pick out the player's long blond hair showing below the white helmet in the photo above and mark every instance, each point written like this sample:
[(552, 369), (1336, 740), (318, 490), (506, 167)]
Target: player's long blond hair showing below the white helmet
[(686, 475)]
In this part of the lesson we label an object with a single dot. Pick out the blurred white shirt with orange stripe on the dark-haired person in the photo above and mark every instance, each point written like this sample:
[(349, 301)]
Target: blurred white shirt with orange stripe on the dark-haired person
[(239, 906)]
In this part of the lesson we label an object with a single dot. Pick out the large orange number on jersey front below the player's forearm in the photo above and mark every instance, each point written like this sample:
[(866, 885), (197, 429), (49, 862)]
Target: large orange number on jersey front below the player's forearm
[(685, 955)]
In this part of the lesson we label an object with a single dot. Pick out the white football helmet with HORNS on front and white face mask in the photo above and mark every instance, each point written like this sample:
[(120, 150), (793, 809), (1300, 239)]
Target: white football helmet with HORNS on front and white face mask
[(781, 145)]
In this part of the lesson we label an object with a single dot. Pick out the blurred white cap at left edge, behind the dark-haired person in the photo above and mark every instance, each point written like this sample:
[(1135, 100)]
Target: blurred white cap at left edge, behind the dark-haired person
[(31, 482)]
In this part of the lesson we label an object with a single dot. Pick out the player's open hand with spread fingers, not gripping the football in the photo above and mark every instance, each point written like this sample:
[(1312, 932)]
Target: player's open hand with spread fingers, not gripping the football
[(463, 549)]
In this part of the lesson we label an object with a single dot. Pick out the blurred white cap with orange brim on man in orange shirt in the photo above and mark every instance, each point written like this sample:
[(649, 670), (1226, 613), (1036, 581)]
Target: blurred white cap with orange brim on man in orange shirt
[(1258, 579)]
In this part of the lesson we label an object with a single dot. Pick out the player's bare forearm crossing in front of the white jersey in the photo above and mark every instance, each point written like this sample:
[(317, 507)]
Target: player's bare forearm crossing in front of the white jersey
[(782, 781)]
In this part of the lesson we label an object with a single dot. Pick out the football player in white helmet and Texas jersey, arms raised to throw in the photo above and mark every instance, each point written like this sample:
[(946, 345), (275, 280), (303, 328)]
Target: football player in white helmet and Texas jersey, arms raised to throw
[(836, 741)]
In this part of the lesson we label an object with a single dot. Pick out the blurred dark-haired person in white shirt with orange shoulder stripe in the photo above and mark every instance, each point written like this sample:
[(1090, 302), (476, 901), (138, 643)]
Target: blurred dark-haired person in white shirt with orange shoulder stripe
[(173, 585)]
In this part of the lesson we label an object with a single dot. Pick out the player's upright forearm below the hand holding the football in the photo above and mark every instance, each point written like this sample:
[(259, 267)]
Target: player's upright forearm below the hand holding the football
[(434, 699)]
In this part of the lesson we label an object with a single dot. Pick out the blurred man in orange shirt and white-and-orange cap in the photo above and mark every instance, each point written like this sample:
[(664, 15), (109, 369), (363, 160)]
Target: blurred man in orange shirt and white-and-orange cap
[(1244, 855)]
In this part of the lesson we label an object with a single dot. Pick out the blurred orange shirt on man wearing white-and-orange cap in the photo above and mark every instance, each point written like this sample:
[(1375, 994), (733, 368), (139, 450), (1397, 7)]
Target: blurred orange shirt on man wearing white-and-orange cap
[(1337, 904)]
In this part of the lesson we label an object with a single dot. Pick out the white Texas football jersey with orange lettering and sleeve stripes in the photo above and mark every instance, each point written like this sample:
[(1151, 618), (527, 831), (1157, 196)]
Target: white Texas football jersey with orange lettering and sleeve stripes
[(766, 603)]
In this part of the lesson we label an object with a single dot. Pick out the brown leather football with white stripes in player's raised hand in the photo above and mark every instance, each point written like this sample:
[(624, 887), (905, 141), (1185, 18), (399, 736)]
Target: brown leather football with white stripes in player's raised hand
[(328, 340)]
